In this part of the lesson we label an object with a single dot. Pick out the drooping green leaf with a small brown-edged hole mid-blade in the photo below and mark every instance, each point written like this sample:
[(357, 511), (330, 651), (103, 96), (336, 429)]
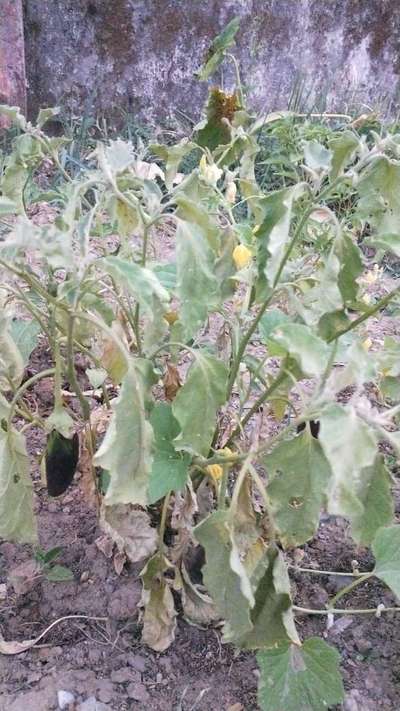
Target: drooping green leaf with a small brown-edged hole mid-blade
[(299, 475)]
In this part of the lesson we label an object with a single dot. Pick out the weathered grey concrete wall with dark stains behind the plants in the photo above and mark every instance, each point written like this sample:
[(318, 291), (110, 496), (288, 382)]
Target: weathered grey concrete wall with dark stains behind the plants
[(140, 55)]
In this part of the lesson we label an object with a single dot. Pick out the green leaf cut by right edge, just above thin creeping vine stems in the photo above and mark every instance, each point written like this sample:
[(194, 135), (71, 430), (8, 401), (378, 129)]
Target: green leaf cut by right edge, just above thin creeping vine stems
[(386, 549)]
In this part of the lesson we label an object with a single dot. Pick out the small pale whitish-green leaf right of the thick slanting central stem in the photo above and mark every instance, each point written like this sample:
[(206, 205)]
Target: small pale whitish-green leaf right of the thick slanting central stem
[(310, 352)]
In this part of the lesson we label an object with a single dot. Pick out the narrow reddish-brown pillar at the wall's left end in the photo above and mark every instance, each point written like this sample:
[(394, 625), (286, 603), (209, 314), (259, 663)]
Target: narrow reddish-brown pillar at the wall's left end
[(12, 56)]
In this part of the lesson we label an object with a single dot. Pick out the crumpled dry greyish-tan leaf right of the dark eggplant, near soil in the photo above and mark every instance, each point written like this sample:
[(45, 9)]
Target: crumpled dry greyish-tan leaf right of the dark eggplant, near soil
[(130, 530)]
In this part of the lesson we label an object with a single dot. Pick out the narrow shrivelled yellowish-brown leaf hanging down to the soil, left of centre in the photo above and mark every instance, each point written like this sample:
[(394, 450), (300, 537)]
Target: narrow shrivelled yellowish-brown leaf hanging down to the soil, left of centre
[(159, 617)]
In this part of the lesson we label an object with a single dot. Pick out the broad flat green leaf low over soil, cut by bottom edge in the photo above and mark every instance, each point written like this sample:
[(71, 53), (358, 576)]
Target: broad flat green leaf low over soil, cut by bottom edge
[(300, 678)]
